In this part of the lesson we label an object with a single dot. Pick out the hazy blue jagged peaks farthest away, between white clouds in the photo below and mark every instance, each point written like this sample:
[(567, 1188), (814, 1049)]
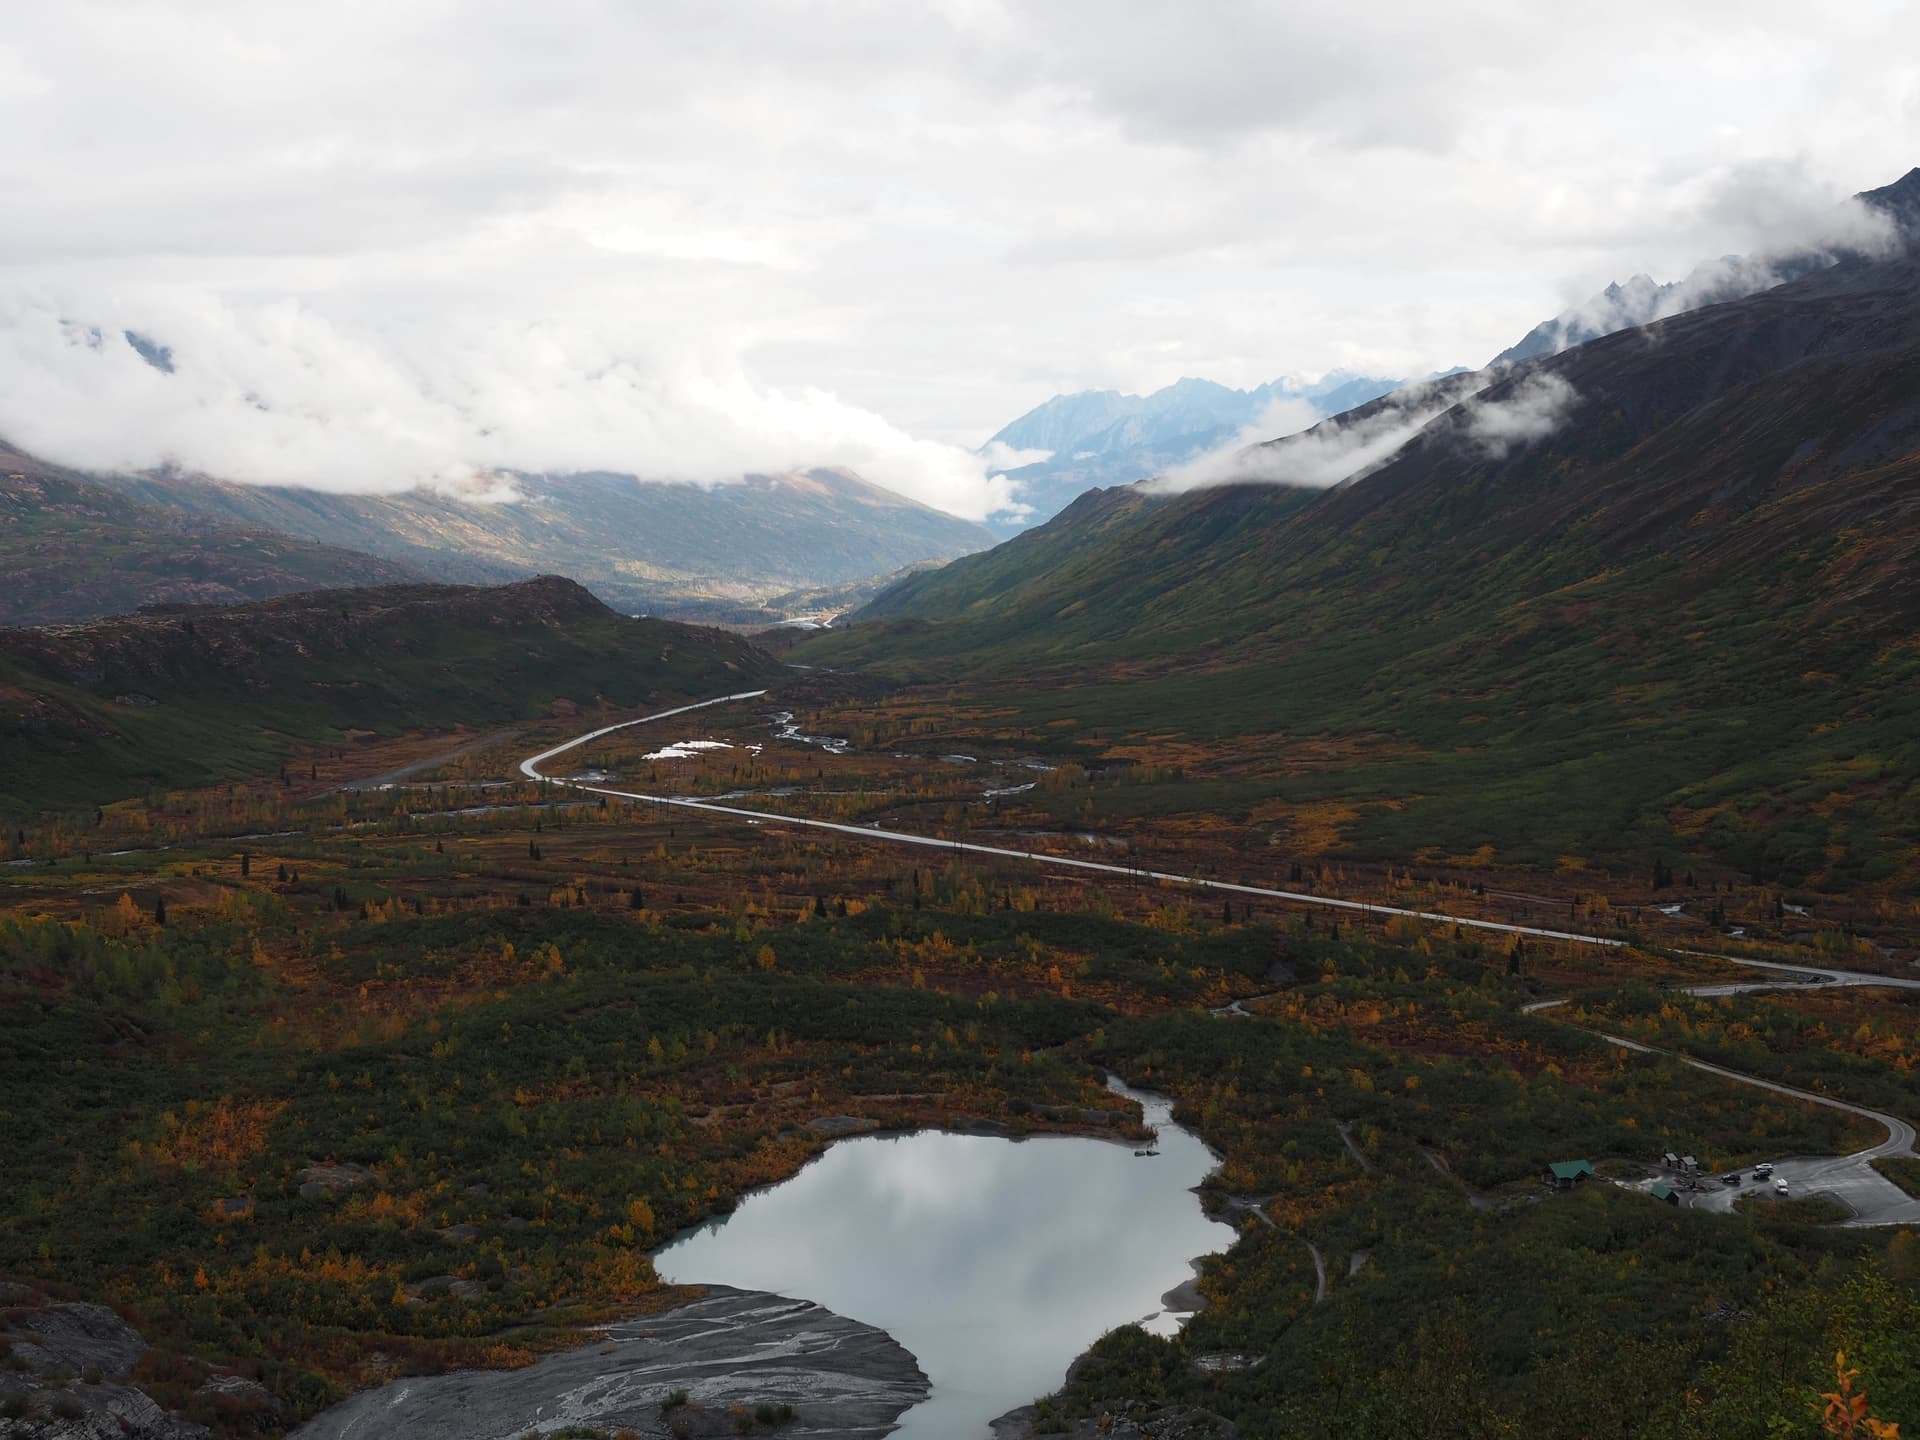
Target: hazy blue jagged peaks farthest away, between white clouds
[(1107, 439)]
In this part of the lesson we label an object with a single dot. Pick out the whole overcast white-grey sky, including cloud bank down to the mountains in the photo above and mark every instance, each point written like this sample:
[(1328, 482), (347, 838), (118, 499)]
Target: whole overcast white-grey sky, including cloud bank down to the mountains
[(410, 243)]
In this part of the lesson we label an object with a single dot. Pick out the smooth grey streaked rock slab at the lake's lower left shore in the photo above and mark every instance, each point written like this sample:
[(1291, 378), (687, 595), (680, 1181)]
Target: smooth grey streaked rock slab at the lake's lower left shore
[(846, 1381)]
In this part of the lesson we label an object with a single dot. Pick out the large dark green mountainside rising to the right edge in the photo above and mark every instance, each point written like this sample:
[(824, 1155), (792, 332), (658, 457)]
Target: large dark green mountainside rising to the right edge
[(1677, 615)]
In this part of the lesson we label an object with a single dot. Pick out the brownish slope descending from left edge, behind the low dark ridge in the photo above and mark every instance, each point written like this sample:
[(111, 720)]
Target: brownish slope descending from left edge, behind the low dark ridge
[(74, 552)]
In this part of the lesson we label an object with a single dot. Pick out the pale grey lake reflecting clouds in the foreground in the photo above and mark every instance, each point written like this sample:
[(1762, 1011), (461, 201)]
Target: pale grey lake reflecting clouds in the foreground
[(994, 1262)]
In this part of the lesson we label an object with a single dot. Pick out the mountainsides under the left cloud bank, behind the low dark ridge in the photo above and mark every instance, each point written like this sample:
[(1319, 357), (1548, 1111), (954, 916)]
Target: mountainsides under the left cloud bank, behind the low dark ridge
[(744, 552)]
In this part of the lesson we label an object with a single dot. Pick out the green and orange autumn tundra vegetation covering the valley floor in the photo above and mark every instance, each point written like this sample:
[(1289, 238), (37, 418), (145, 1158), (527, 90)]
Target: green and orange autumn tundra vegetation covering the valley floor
[(418, 1078)]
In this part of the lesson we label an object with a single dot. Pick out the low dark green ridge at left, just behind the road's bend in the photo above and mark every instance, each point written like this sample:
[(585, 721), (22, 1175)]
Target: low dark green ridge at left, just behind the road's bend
[(191, 696)]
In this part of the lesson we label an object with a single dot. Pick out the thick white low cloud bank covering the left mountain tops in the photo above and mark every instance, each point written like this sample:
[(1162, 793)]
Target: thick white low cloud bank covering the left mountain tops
[(283, 395)]
